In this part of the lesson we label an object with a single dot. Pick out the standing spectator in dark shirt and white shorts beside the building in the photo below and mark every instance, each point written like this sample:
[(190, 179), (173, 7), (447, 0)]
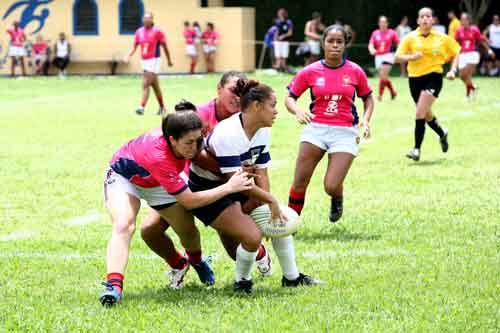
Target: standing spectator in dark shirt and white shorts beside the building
[(281, 43)]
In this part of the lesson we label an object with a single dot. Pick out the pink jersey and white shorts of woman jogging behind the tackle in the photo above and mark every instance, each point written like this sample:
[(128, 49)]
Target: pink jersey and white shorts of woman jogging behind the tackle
[(334, 127)]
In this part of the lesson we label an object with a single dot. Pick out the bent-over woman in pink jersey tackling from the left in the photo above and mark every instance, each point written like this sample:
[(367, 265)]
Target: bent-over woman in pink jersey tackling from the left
[(150, 167)]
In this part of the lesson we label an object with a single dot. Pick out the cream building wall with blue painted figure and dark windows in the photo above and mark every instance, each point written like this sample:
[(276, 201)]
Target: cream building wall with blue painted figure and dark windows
[(91, 53)]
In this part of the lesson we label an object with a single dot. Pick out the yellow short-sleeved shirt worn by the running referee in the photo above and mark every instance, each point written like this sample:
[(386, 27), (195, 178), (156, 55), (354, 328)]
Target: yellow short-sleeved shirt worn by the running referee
[(436, 49)]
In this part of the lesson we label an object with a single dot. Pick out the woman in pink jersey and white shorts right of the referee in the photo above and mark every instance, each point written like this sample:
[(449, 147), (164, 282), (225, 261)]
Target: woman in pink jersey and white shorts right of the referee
[(469, 36)]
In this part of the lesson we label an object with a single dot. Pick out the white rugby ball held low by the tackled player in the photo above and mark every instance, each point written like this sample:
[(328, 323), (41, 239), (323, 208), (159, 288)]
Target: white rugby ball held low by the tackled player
[(275, 229)]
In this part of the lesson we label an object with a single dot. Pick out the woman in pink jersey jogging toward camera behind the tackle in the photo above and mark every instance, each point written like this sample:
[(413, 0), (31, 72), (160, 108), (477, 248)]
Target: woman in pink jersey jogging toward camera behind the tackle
[(332, 122)]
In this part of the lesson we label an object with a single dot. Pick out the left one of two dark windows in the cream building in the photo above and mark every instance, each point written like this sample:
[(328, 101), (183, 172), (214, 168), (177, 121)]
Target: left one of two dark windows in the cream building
[(85, 18)]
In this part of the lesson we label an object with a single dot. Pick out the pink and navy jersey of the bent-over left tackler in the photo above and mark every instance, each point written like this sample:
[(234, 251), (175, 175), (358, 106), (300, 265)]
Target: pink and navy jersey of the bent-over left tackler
[(148, 161)]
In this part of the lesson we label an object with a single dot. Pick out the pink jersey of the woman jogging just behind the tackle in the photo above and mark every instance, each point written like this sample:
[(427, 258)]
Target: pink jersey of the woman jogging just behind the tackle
[(332, 91)]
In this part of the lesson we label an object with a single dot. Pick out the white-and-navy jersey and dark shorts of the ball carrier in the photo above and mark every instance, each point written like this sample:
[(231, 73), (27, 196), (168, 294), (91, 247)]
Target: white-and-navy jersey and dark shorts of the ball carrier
[(229, 144)]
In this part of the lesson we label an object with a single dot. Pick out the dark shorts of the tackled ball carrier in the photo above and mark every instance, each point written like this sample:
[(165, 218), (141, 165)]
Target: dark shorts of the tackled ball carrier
[(208, 214)]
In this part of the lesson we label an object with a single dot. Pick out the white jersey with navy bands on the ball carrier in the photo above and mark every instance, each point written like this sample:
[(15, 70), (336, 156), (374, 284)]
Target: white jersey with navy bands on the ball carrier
[(232, 148)]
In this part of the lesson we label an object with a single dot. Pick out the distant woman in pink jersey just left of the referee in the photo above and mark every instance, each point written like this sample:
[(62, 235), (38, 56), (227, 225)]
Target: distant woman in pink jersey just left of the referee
[(379, 46)]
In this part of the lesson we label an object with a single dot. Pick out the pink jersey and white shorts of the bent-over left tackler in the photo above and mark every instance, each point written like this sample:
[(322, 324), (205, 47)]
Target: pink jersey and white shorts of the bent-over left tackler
[(147, 168)]
